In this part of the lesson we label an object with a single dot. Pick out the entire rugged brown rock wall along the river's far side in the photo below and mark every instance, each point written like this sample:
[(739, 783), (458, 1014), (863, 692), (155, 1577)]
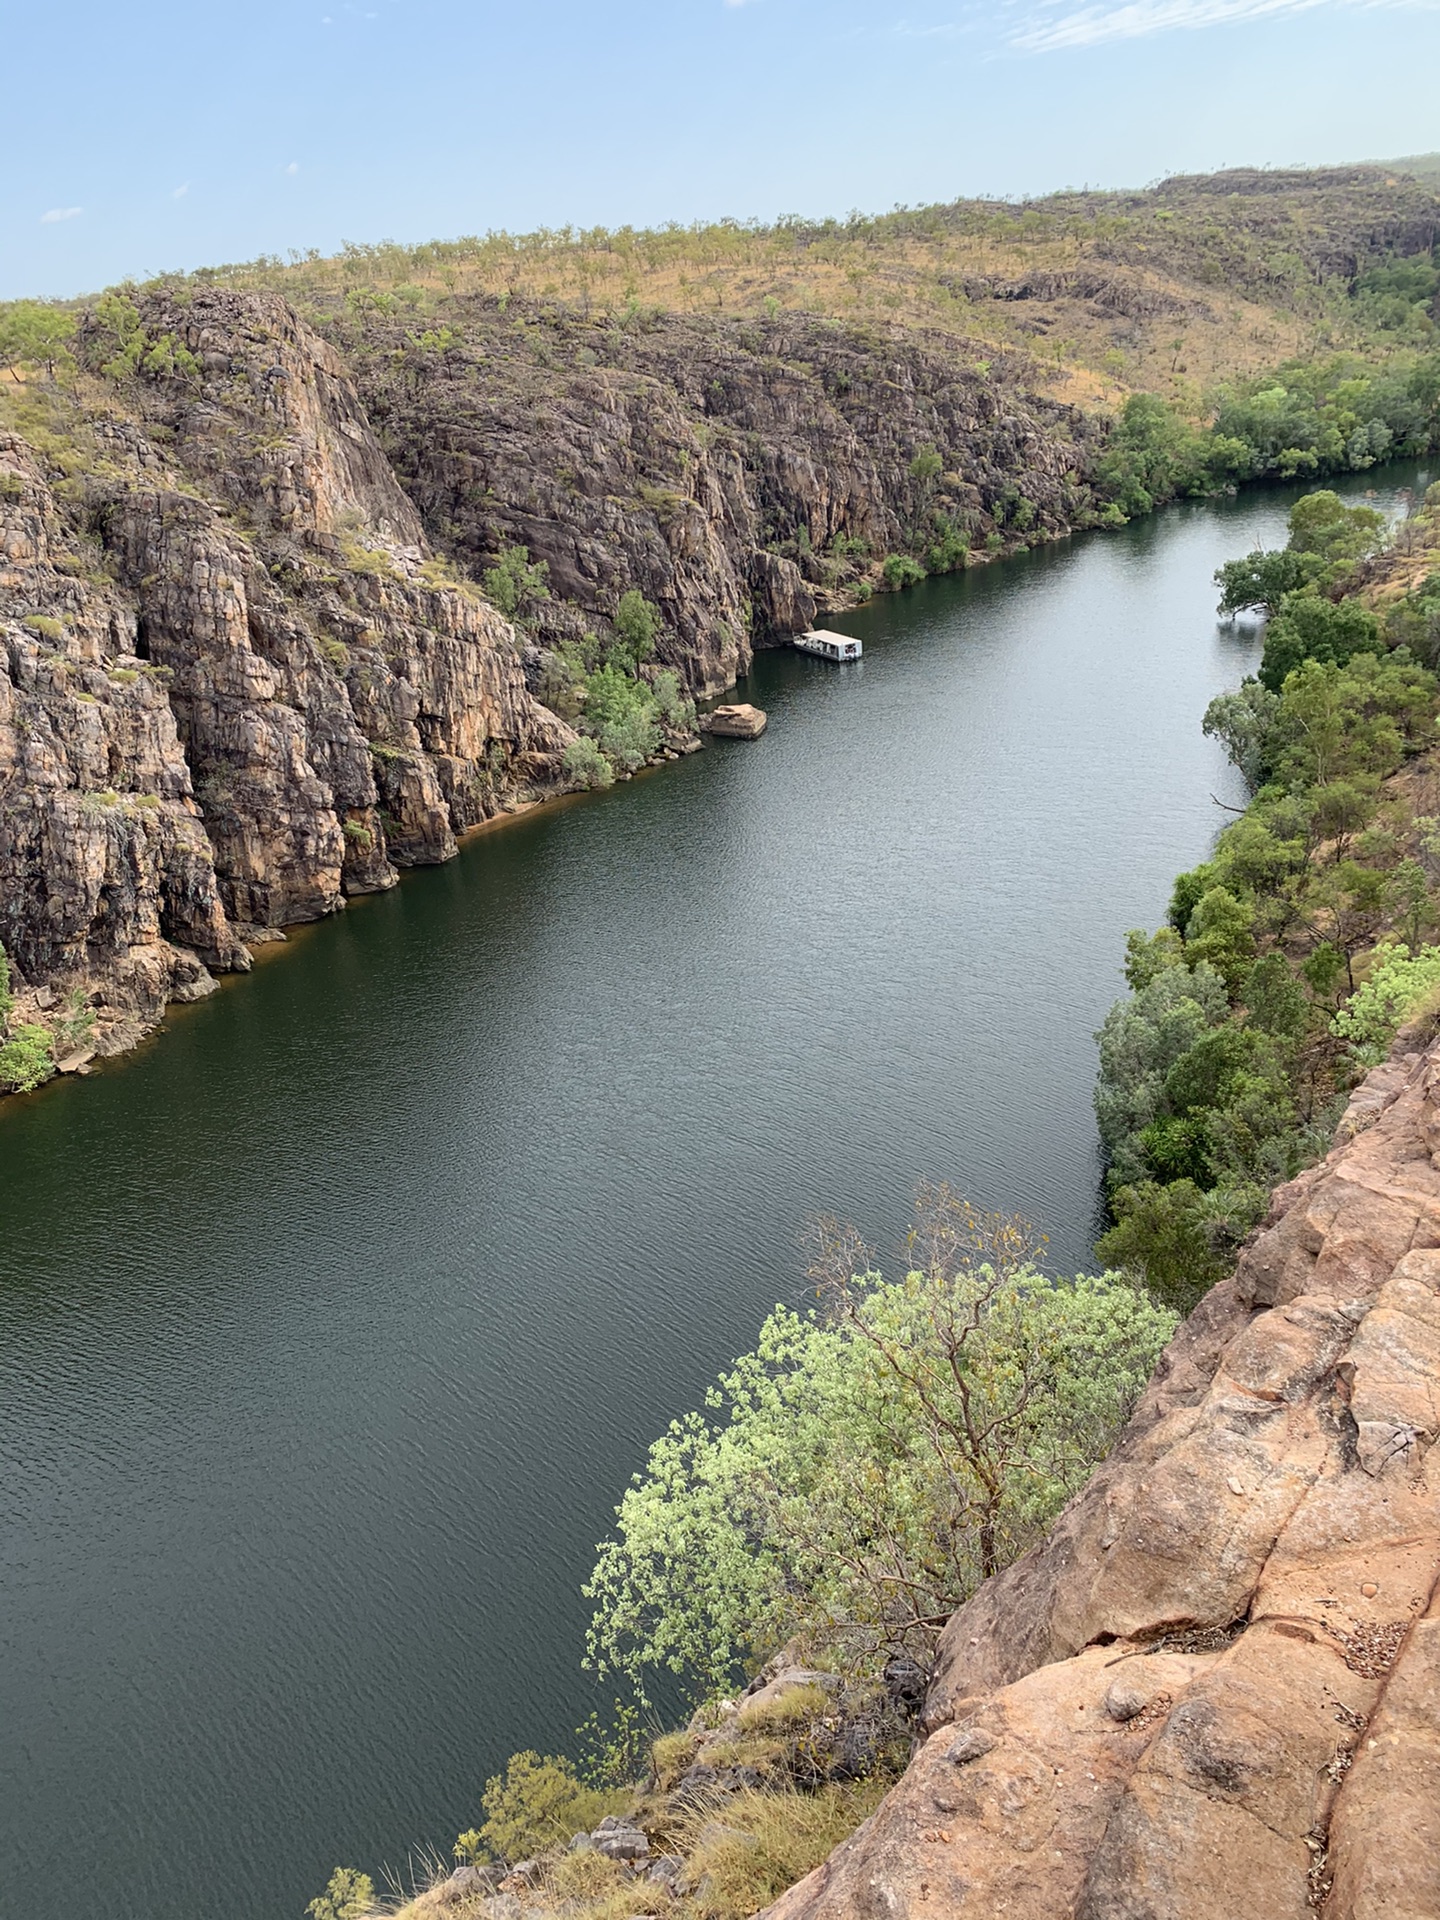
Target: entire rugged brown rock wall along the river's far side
[(239, 684)]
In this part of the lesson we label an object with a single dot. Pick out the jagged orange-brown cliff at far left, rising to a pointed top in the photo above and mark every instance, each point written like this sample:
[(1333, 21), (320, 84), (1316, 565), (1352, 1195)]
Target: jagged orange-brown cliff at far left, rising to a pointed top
[(237, 686)]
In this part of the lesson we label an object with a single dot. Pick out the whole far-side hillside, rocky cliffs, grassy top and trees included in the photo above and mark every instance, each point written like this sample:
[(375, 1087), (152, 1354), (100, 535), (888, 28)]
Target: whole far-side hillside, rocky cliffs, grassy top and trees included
[(314, 567)]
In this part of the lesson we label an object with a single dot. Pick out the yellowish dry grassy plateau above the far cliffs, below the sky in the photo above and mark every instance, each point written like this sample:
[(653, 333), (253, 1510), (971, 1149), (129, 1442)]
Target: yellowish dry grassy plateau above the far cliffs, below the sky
[(1166, 291)]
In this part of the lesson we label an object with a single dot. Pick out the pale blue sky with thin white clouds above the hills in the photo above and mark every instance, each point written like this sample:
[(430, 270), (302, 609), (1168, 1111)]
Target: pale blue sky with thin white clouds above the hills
[(176, 135)]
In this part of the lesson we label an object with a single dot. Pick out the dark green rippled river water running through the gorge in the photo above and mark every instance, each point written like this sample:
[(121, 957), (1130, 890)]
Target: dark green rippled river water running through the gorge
[(335, 1322)]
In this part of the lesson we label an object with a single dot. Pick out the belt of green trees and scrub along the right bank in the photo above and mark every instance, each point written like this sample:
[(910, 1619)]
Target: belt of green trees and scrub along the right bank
[(1295, 955)]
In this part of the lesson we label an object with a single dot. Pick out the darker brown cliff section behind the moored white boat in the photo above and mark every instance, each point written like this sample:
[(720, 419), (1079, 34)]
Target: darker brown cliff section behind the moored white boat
[(719, 466)]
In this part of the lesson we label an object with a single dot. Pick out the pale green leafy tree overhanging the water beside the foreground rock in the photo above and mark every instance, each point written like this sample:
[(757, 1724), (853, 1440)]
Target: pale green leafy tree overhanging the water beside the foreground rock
[(867, 1468)]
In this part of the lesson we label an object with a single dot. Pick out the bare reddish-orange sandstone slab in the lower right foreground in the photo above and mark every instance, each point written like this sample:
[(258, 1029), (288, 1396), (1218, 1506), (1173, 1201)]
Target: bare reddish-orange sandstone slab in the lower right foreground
[(1214, 1692)]
